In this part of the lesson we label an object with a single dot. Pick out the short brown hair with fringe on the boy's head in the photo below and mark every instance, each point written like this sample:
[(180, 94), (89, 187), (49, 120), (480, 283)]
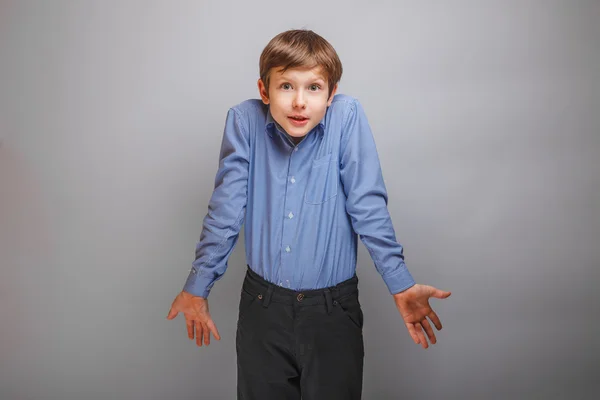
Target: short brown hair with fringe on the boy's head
[(300, 48)]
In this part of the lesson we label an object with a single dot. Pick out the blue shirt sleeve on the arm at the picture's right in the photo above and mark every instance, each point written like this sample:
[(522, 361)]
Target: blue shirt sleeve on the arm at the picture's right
[(367, 199)]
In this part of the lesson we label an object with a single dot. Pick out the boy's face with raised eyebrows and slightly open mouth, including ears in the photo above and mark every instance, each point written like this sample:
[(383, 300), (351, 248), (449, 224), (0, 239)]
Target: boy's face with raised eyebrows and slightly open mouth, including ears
[(298, 98)]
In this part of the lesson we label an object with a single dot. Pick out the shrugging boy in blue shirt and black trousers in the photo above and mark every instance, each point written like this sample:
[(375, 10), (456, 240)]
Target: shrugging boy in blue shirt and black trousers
[(302, 164)]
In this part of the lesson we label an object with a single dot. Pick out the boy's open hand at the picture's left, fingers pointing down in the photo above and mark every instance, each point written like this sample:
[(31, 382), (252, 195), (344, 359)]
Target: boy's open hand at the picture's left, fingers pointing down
[(197, 317)]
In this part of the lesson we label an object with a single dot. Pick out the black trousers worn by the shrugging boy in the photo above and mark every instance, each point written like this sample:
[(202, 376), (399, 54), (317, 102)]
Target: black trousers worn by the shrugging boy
[(293, 345)]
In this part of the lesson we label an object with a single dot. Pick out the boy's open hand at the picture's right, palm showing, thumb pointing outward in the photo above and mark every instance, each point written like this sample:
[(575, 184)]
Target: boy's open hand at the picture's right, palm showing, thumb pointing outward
[(413, 304)]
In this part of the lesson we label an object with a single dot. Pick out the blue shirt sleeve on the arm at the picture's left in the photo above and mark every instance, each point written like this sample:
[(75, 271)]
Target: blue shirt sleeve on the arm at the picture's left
[(226, 210)]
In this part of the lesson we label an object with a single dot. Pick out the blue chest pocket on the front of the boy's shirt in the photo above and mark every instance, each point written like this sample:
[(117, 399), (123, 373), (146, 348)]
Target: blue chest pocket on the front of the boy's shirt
[(322, 183)]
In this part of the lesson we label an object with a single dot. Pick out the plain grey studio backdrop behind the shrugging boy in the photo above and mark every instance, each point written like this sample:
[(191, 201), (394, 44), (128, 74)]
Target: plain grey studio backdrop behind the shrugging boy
[(487, 120)]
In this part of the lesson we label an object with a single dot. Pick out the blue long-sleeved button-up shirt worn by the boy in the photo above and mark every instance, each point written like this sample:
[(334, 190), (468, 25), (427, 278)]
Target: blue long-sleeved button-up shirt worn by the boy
[(303, 205)]
